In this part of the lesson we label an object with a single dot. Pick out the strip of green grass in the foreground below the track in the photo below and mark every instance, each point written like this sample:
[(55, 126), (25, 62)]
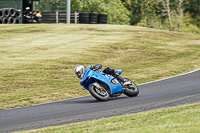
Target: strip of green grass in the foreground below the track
[(181, 119)]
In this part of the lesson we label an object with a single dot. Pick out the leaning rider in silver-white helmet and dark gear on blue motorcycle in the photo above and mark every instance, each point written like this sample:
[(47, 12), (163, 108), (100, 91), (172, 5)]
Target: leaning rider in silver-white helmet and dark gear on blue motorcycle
[(80, 70)]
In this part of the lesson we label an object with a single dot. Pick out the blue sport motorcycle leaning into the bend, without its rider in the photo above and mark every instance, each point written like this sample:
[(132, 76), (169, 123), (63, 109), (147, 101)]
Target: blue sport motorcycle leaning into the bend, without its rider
[(103, 86)]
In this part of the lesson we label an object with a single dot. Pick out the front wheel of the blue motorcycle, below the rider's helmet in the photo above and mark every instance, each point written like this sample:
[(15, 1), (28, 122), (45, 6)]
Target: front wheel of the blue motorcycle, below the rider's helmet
[(100, 93)]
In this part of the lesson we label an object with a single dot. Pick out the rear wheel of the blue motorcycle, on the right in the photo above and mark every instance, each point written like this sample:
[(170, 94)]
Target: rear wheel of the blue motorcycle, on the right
[(131, 90)]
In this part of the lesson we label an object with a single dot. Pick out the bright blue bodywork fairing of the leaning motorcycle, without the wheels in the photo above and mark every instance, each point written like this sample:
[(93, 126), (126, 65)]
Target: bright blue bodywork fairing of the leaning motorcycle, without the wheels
[(91, 76)]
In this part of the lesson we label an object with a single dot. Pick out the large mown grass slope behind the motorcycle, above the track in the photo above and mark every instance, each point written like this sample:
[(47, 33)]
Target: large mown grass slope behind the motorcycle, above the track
[(37, 61)]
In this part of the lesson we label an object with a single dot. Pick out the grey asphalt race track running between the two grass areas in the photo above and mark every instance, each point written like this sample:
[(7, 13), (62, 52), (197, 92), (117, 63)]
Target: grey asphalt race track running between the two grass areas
[(178, 90)]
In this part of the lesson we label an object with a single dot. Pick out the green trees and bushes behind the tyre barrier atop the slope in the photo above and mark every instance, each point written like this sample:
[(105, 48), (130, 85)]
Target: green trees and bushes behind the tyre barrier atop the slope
[(176, 15)]
